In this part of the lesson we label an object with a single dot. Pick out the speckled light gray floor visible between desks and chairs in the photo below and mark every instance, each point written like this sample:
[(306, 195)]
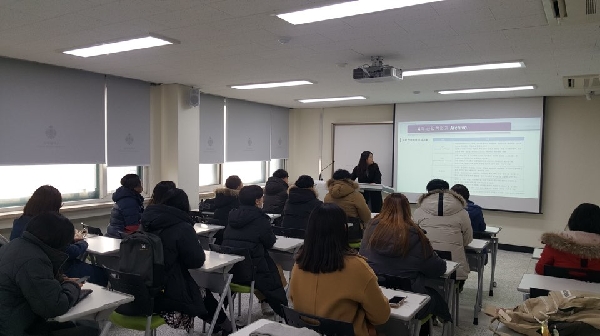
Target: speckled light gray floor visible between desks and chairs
[(509, 270)]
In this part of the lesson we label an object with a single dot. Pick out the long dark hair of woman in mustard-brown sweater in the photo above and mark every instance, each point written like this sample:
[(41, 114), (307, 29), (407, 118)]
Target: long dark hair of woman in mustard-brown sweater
[(325, 241)]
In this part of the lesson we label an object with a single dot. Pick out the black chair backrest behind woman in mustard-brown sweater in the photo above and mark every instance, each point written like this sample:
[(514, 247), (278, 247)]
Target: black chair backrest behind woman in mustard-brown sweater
[(321, 325)]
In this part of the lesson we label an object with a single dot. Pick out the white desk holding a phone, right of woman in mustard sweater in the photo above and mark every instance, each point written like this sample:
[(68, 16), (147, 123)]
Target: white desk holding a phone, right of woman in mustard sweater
[(407, 310)]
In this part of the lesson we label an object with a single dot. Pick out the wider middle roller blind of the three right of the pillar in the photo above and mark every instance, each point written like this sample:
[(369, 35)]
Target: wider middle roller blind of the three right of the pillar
[(248, 131)]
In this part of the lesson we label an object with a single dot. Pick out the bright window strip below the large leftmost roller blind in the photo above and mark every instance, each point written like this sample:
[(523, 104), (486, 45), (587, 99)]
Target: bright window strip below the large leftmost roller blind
[(74, 181)]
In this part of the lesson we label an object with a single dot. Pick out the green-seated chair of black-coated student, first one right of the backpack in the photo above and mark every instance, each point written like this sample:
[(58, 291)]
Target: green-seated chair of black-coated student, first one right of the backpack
[(243, 275)]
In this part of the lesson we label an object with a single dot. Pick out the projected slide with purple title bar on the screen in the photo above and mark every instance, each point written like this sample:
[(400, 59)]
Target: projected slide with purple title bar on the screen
[(498, 159)]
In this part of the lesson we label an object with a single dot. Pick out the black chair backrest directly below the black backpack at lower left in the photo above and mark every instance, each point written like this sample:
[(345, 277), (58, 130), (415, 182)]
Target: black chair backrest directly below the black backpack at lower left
[(132, 284)]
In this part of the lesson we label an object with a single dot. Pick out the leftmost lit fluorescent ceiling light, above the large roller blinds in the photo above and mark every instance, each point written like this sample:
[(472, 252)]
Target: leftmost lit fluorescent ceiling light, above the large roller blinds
[(120, 46)]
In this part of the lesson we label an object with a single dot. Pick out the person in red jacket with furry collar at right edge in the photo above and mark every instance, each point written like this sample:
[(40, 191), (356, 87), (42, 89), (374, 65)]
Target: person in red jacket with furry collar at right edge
[(577, 248)]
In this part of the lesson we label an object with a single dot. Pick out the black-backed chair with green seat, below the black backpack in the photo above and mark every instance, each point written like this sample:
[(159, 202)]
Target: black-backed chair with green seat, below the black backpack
[(136, 315)]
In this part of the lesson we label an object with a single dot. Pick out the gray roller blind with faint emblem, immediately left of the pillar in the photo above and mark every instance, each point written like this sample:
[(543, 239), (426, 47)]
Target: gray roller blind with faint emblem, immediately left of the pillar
[(128, 122)]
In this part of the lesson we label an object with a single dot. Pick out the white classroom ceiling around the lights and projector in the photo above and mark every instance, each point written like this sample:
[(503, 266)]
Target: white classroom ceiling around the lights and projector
[(225, 42)]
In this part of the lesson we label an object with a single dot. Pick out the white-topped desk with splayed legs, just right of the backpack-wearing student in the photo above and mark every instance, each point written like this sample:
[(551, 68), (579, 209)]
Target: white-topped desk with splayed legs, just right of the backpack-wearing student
[(214, 276)]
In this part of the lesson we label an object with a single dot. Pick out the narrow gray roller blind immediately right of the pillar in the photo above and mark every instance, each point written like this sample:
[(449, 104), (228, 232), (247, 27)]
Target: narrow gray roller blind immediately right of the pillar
[(212, 129)]
